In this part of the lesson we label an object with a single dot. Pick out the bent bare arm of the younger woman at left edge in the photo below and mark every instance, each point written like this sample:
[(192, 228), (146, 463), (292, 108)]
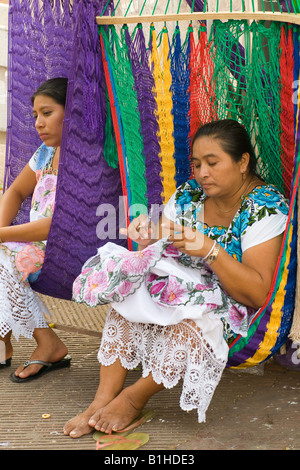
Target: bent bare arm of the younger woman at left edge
[(10, 203)]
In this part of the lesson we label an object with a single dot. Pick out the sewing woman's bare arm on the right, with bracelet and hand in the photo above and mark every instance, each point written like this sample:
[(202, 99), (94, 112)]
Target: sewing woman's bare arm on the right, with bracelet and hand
[(248, 281)]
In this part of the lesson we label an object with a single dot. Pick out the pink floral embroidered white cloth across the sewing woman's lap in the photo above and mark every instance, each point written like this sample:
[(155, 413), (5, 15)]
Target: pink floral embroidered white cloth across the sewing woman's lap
[(156, 285)]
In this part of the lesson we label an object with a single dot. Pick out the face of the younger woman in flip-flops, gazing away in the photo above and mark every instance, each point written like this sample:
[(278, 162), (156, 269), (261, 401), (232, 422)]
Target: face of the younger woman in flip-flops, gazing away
[(49, 116)]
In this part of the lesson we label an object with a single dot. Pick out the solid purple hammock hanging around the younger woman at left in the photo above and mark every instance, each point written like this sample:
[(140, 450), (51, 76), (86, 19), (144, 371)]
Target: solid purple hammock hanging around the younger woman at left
[(61, 39)]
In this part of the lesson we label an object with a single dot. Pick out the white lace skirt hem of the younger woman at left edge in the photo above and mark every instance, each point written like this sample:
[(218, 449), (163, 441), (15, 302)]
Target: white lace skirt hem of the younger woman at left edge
[(21, 309)]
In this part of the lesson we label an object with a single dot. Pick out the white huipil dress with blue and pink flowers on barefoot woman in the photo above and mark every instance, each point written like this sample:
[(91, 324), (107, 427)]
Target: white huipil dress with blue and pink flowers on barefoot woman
[(168, 310)]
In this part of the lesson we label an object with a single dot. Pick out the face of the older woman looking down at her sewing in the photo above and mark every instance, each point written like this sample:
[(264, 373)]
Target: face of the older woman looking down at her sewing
[(215, 170)]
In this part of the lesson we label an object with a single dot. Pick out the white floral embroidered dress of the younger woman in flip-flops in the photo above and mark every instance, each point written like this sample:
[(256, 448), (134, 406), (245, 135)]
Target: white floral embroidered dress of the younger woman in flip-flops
[(21, 310)]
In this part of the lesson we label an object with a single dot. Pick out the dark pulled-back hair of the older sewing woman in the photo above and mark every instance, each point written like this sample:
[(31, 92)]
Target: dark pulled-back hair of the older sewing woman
[(233, 137)]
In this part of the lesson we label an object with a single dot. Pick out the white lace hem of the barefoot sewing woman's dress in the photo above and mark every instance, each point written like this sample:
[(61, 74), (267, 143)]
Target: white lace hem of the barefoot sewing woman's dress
[(169, 353)]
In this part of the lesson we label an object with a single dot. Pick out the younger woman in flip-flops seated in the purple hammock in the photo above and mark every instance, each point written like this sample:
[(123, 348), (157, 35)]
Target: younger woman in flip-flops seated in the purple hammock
[(22, 247)]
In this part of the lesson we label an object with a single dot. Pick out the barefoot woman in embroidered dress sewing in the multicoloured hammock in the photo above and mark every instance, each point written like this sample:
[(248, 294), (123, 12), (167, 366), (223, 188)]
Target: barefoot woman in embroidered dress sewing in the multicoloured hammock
[(179, 301)]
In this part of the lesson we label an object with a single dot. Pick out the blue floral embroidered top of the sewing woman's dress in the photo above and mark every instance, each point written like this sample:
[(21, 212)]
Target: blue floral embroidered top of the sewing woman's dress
[(263, 206)]
